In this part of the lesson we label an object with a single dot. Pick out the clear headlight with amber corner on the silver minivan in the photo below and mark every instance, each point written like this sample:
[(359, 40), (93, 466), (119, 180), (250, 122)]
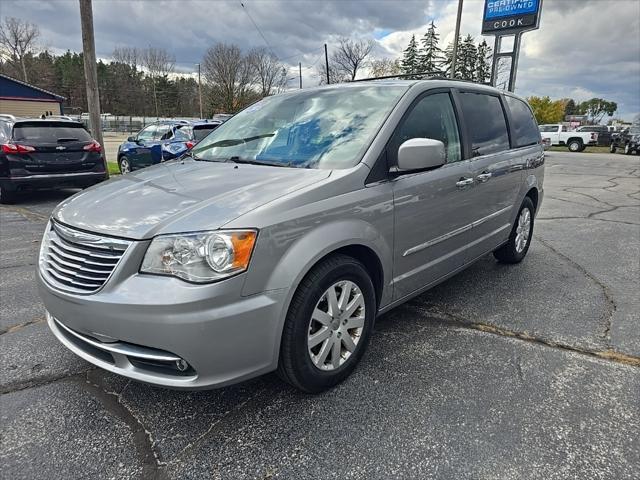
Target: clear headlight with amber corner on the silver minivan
[(200, 257)]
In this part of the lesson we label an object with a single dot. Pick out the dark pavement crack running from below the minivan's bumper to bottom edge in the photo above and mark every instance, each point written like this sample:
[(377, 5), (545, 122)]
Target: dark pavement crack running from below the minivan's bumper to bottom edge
[(152, 466)]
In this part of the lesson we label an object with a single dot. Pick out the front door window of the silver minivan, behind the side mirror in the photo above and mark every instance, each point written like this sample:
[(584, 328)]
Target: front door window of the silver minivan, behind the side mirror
[(432, 117)]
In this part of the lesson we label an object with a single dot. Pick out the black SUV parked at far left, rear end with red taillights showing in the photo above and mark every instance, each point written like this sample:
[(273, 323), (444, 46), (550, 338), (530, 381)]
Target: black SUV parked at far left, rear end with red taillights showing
[(43, 154)]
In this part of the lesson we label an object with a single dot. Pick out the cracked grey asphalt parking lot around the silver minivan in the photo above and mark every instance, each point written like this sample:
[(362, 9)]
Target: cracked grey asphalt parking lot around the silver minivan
[(511, 372)]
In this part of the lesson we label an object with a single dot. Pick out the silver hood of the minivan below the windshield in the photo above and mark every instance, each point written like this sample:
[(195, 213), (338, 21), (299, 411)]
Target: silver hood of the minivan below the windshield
[(180, 196)]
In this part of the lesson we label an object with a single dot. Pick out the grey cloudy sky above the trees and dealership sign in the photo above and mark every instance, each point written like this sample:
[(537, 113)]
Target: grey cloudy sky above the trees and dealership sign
[(583, 49)]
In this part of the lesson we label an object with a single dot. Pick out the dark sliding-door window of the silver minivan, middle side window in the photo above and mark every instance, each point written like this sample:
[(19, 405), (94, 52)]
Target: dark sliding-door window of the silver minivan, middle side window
[(486, 124)]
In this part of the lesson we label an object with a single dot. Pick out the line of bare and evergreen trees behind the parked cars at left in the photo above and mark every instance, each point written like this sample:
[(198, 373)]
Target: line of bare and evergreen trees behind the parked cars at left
[(142, 81)]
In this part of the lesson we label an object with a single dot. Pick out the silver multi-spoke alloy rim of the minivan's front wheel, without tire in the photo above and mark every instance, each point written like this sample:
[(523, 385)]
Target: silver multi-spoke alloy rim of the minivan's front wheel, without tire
[(336, 325)]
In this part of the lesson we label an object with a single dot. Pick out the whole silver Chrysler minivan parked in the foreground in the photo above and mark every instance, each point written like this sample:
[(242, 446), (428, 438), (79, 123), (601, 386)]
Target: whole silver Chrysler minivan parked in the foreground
[(275, 242)]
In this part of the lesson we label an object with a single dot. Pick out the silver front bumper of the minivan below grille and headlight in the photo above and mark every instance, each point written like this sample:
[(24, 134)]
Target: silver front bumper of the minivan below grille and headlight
[(140, 325)]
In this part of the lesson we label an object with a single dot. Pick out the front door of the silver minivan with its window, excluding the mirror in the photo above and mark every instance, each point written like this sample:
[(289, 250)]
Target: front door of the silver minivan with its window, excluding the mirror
[(433, 209)]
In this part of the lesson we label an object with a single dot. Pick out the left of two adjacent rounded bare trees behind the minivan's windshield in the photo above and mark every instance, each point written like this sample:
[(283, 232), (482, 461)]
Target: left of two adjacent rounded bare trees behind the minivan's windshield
[(229, 74)]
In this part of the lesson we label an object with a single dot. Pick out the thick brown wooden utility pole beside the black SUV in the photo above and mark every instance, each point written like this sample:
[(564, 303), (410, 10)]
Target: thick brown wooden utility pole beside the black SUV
[(90, 69)]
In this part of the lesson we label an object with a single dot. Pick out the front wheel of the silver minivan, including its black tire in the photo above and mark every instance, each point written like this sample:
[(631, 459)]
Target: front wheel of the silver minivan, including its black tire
[(296, 364)]
